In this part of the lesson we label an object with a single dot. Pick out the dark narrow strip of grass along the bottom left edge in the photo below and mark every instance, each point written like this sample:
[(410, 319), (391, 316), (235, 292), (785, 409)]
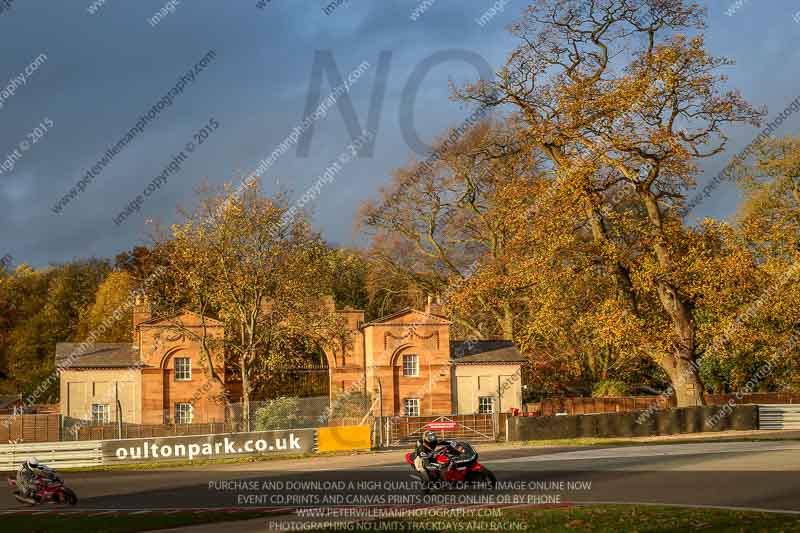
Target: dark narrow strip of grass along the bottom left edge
[(115, 523)]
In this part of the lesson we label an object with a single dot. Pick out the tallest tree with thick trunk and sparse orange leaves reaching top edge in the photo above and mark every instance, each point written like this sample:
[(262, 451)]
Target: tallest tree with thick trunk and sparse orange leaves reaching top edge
[(623, 99)]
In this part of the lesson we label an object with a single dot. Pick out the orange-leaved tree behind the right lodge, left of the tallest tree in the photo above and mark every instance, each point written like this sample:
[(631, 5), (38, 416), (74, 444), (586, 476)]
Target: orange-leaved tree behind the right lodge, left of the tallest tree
[(568, 317)]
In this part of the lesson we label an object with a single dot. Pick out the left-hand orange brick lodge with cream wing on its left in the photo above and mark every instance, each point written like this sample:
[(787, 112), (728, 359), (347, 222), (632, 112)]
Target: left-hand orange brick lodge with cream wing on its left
[(160, 377)]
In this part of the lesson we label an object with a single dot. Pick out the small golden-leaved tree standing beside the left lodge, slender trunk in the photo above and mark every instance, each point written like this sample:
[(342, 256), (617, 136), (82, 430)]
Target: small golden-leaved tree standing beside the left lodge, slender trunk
[(255, 264)]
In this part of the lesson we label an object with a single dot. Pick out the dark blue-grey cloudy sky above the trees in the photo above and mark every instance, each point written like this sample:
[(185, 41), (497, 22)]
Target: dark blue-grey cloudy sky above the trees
[(93, 68)]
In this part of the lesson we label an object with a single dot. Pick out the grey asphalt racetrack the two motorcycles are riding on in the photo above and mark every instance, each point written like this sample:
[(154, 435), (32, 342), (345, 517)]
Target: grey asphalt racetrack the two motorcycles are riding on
[(750, 475)]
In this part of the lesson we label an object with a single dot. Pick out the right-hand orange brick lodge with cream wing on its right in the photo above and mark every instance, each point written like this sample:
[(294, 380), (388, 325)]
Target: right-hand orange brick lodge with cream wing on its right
[(409, 360)]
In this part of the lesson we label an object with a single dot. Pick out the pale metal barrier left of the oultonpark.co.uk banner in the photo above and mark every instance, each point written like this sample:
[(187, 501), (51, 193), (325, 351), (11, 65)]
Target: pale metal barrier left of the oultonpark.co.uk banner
[(54, 454)]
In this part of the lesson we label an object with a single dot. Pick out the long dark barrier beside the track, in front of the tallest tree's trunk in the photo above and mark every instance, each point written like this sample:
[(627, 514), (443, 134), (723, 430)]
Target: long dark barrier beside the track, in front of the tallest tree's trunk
[(632, 424)]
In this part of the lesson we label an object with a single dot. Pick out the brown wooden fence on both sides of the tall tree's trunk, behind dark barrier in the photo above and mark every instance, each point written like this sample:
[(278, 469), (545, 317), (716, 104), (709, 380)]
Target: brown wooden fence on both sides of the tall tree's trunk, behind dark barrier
[(580, 406)]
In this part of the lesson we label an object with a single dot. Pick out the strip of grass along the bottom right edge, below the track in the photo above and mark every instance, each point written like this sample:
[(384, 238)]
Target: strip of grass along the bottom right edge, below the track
[(603, 518)]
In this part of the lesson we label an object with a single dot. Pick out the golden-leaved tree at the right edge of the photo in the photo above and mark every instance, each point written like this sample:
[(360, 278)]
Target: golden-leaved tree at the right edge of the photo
[(757, 299)]
